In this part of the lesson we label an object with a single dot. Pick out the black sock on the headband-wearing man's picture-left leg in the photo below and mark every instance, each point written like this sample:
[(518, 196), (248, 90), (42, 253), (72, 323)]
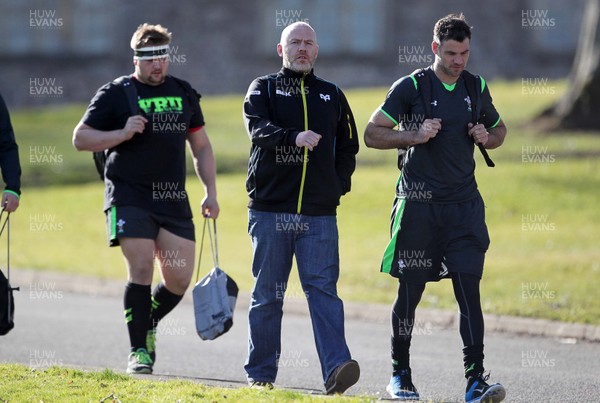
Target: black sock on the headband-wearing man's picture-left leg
[(137, 313)]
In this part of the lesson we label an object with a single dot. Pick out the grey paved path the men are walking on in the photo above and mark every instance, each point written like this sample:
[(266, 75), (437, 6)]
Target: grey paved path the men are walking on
[(55, 326)]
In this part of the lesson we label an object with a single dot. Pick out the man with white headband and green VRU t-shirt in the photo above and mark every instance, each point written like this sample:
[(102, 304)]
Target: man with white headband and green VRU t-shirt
[(147, 209)]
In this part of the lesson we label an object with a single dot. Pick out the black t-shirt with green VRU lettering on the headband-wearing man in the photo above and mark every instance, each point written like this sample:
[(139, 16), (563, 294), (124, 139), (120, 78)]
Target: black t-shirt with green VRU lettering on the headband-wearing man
[(149, 170)]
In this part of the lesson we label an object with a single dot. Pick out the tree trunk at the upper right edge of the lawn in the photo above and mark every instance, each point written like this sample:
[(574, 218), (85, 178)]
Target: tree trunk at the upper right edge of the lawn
[(579, 107)]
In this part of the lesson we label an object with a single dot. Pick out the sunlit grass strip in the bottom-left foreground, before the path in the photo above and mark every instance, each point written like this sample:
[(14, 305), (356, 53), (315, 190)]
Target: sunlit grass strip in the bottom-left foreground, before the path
[(57, 384)]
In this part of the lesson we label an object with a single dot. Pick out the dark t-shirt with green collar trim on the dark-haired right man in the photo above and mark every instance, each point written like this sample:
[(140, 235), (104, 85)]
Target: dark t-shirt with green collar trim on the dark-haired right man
[(443, 169)]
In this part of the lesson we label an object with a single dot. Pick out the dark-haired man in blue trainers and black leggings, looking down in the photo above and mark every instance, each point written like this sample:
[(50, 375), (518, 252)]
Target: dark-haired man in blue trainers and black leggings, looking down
[(438, 225)]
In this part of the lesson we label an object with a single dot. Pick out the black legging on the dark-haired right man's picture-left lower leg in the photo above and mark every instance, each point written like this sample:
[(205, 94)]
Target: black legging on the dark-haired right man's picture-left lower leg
[(403, 319)]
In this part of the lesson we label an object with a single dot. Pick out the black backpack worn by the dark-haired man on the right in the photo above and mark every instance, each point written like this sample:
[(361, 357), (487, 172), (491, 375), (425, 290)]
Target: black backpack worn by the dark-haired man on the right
[(472, 83)]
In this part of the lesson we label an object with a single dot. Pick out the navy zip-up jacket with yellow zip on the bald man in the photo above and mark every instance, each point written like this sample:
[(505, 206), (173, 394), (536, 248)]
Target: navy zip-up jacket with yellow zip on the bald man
[(281, 176)]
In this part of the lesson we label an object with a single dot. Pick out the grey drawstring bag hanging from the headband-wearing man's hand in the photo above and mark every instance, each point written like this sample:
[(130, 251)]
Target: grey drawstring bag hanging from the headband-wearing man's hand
[(214, 295)]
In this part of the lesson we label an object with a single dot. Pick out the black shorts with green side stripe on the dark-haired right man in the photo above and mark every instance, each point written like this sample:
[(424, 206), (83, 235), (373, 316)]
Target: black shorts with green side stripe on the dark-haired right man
[(429, 240)]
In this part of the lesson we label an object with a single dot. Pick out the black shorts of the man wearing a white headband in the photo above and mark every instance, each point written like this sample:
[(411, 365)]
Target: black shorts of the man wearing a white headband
[(135, 222)]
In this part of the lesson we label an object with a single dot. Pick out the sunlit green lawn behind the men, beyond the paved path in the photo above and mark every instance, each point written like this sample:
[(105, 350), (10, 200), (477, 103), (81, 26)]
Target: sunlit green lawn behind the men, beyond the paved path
[(546, 272)]
